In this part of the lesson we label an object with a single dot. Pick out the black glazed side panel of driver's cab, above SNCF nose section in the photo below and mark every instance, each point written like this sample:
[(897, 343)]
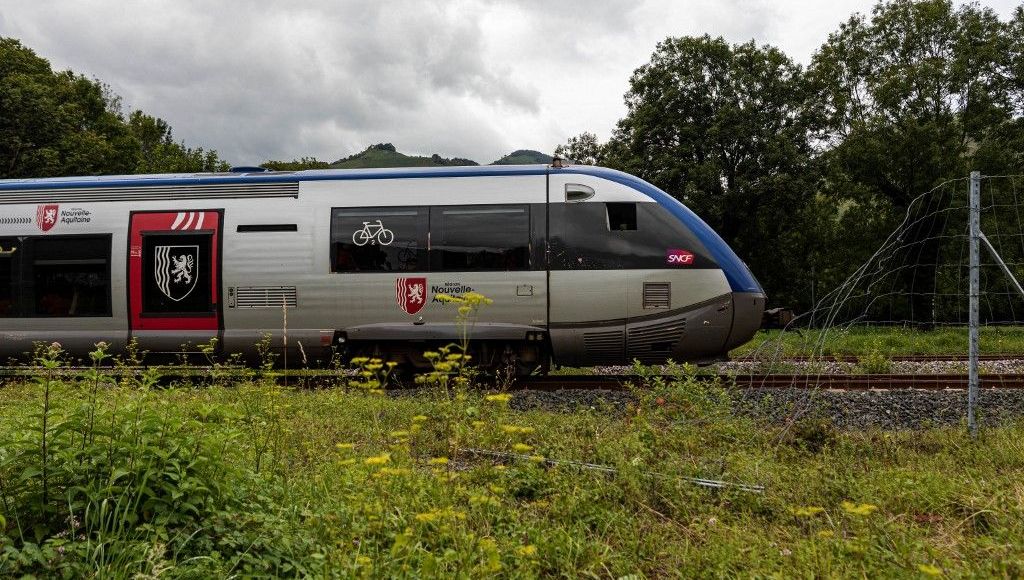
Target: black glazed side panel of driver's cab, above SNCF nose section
[(618, 236)]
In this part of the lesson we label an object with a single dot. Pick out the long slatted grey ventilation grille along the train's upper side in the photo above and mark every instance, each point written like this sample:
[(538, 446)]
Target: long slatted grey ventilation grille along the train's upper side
[(145, 193)]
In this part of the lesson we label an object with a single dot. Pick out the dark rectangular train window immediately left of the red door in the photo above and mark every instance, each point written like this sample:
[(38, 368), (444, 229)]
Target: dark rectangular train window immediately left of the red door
[(70, 276)]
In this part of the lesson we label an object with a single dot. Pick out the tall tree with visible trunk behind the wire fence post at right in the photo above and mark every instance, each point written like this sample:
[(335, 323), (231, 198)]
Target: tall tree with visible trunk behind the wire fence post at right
[(908, 99)]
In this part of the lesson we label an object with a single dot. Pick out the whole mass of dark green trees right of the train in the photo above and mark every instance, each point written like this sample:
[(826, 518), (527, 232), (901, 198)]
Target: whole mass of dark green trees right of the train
[(804, 171)]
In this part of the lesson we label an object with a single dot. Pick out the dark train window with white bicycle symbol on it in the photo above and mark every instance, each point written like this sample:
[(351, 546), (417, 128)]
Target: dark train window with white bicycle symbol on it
[(381, 239)]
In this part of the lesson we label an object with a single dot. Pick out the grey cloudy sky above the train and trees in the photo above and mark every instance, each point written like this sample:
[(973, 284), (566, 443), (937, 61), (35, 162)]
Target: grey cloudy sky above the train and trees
[(323, 78)]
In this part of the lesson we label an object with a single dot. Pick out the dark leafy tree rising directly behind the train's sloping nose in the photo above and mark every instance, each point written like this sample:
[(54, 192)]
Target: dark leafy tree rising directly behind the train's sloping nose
[(726, 129)]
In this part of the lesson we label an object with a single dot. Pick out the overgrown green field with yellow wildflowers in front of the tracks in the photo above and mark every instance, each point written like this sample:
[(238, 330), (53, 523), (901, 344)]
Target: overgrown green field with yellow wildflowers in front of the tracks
[(250, 479)]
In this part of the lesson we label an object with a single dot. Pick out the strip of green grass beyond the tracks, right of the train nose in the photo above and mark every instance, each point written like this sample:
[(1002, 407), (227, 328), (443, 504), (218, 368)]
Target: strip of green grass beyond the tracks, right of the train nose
[(890, 342)]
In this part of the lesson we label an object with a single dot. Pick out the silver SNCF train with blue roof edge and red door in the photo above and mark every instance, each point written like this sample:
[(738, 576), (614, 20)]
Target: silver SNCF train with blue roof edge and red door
[(585, 266)]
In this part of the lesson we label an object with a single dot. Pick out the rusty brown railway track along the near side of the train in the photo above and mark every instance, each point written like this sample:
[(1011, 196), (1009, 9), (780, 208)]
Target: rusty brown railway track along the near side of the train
[(324, 380)]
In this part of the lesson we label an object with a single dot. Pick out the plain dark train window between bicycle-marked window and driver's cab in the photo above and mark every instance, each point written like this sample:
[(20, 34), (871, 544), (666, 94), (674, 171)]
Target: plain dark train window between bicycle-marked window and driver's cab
[(480, 238)]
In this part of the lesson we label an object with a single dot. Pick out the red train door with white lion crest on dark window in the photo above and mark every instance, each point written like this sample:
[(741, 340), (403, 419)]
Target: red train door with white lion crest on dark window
[(175, 278)]
